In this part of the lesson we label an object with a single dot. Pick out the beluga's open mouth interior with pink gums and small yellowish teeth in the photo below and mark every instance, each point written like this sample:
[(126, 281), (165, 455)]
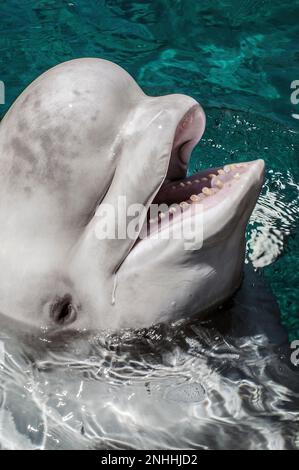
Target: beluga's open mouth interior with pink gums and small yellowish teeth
[(214, 188)]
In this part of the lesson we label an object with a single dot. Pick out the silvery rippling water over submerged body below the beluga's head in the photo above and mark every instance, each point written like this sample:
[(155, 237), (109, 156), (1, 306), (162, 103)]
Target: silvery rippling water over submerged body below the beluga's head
[(225, 383)]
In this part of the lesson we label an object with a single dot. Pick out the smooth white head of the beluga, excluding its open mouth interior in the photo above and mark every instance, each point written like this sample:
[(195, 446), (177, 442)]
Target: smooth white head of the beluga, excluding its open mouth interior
[(79, 136)]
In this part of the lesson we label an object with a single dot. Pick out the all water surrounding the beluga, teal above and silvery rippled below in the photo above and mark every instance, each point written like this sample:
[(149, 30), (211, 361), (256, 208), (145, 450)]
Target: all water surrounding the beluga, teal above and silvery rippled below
[(238, 58)]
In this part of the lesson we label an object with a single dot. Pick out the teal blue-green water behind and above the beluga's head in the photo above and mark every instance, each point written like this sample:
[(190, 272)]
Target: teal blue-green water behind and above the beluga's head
[(237, 58)]
